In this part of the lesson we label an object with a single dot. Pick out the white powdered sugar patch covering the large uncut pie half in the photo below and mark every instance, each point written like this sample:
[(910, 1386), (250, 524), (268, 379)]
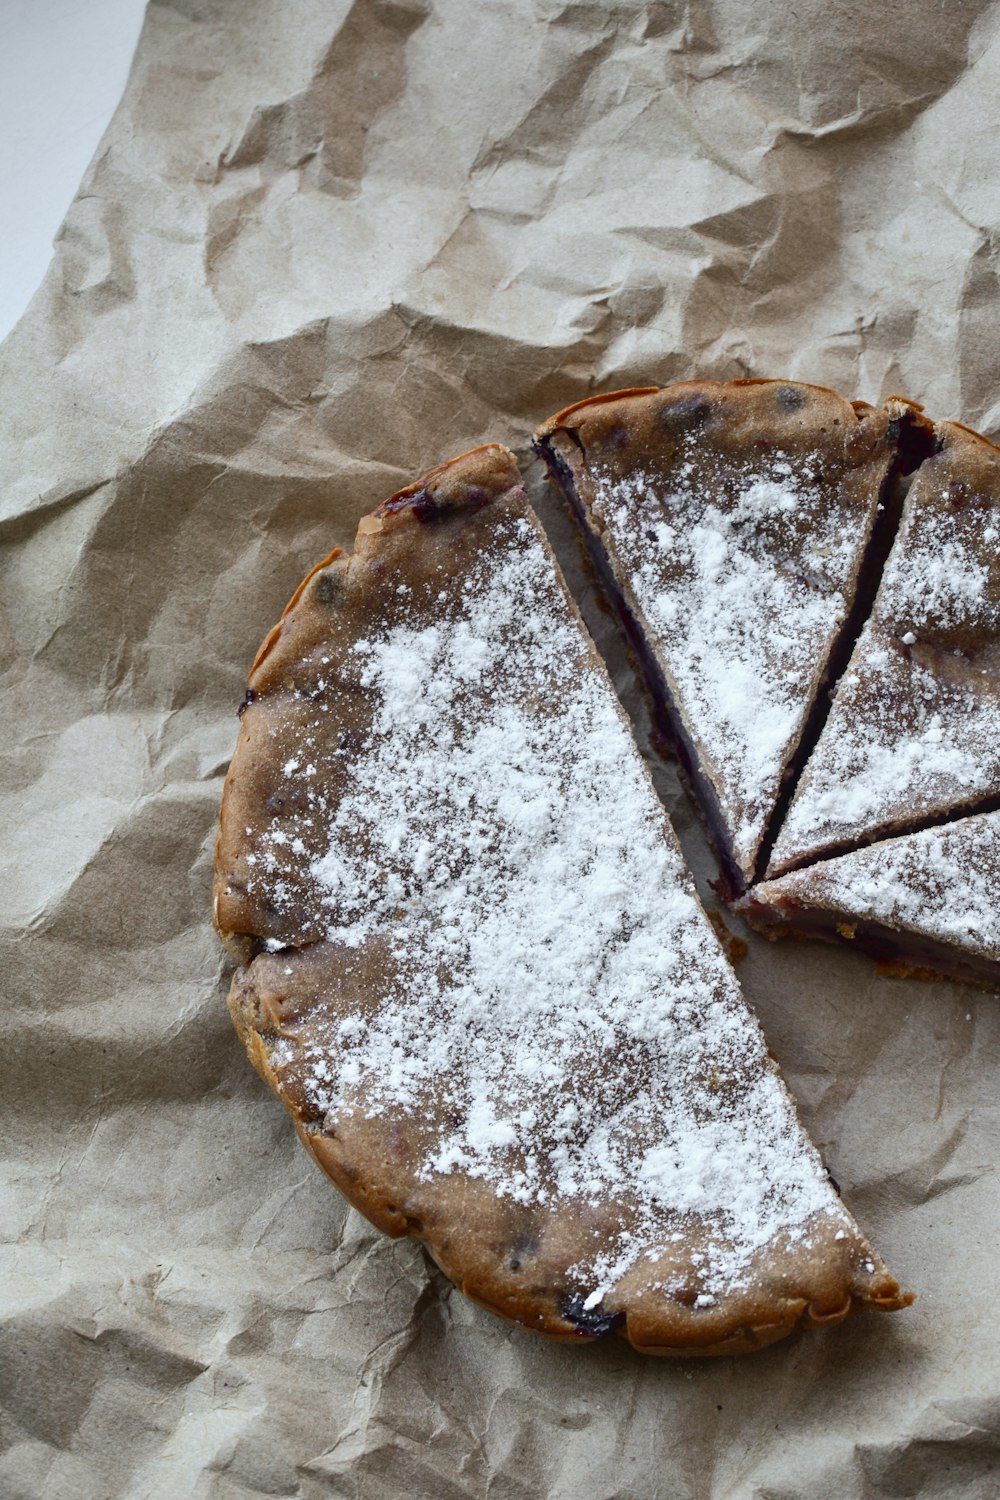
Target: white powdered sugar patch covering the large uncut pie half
[(554, 994)]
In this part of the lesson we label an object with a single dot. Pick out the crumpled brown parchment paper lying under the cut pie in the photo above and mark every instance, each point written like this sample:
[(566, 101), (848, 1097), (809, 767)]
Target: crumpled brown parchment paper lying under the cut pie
[(323, 247)]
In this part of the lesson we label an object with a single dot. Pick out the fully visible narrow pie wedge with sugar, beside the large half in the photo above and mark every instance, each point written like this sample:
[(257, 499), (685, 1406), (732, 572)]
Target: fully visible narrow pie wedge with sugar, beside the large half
[(735, 526)]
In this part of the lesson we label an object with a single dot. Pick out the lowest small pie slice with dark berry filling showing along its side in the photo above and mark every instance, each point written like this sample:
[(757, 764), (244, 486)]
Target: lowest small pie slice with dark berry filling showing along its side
[(923, 904)]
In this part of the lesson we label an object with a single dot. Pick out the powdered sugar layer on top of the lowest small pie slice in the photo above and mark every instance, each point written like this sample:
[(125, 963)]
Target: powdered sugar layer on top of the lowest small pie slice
[(941, 884)]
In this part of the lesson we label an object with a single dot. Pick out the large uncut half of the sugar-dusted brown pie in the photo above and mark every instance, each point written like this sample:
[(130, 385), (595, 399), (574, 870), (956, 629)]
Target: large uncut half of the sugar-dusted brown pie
[(475, 967)]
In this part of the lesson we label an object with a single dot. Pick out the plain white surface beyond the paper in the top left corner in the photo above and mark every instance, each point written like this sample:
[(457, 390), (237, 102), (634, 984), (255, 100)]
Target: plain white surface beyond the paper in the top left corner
[(64, 65)]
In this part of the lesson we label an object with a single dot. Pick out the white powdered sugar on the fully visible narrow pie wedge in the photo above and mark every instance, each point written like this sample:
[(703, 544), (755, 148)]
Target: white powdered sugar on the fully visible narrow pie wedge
[(741, 586)]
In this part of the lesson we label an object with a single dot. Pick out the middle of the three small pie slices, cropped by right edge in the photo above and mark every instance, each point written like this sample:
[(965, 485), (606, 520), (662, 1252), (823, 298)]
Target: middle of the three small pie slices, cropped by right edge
[(914, 734)]
